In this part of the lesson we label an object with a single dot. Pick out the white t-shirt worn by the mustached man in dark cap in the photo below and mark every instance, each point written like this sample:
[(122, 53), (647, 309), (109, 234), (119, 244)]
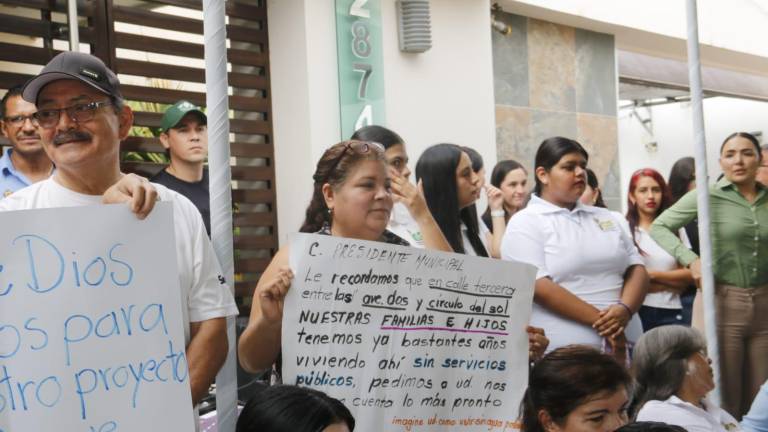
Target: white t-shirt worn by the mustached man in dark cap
[(203, 296)]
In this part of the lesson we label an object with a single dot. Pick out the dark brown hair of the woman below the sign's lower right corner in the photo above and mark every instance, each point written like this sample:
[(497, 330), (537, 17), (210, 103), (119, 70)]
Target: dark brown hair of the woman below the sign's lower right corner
[(565, 379)]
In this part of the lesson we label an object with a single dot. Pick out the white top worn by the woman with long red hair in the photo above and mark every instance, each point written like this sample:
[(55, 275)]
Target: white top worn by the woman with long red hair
[(658, 259)]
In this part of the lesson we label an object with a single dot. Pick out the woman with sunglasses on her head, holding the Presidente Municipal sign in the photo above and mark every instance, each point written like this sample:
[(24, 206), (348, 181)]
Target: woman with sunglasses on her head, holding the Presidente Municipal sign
[(352, 198)]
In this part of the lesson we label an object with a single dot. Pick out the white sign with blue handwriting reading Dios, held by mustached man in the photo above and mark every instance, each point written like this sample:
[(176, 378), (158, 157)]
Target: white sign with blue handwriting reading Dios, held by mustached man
[(91, 333)]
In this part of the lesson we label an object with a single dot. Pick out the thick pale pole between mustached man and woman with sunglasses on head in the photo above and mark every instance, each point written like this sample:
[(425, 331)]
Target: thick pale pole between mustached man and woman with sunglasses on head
[(217, 102)]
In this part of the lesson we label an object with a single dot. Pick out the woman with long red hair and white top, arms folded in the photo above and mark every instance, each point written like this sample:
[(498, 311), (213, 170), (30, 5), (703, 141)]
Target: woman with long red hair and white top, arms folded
[(649, 196)]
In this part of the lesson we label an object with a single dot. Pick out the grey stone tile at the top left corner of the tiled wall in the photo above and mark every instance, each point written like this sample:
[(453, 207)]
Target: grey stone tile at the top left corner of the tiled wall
[(510, 62)]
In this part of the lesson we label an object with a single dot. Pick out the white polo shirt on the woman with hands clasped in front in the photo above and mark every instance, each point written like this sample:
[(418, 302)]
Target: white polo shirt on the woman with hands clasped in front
[(584, 250)]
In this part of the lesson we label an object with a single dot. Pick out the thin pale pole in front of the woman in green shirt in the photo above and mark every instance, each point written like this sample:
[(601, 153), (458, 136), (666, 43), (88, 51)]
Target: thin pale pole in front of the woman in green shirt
[(702, 192)]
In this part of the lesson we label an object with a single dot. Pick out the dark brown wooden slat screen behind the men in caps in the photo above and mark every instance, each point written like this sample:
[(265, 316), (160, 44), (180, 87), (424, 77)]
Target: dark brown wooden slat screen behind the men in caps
[(156, 48)]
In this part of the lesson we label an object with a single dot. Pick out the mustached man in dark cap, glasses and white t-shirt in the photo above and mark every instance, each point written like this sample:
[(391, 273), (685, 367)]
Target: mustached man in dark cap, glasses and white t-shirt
[(82, 119)]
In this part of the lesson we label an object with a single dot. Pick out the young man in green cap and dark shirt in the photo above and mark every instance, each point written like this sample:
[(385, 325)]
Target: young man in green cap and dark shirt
[(185, 137)]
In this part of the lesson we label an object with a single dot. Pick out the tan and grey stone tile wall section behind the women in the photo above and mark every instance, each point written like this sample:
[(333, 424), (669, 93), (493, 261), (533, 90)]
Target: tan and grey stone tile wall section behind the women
[(554, 80)]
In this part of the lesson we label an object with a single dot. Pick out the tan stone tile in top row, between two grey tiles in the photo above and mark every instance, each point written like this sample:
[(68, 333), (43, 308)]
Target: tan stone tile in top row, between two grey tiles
[(551, 66)]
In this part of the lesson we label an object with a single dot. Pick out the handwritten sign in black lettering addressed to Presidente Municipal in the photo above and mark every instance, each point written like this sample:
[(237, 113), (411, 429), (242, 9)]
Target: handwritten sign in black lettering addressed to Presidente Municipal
[(408, 339)]
